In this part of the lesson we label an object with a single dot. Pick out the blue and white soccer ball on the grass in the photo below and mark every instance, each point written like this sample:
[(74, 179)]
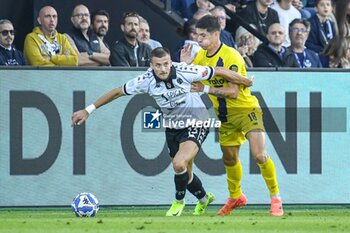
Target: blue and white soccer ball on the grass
[(85, 205)]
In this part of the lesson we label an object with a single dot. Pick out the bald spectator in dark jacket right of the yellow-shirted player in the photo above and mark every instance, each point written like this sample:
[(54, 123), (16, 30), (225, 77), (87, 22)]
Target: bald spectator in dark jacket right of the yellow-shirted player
[(271, 54)]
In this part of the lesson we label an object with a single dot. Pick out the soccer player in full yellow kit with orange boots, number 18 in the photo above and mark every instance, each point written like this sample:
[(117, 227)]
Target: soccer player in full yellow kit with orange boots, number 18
[(239, 112)]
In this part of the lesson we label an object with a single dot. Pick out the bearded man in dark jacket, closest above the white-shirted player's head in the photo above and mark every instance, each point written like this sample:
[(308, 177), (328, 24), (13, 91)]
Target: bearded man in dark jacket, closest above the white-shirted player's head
[(129, 51)]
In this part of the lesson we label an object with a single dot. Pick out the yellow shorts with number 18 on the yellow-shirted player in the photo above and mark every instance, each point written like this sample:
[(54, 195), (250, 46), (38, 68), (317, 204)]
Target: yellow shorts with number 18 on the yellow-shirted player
[(232, 132)]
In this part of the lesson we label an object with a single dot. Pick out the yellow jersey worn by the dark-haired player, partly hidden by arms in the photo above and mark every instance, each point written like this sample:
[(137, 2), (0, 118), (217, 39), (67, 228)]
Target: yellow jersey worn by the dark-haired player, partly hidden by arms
[(230, 58)]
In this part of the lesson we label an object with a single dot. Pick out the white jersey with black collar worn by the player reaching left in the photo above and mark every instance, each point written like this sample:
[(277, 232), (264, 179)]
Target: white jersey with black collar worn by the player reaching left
[(174, 95)]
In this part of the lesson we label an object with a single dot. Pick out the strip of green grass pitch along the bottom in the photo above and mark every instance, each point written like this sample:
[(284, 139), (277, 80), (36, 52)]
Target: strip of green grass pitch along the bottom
[(297, 218)]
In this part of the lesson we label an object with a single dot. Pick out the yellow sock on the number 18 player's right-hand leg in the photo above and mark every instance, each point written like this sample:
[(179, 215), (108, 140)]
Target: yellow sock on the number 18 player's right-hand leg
[(268, 172)]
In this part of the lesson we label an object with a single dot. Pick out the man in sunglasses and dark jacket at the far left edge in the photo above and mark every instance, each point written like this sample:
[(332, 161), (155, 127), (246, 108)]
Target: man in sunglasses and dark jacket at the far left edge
[(9, 55)]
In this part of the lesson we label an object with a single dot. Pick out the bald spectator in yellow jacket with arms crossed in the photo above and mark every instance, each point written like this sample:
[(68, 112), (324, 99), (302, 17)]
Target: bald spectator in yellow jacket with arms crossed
[(44, 46)]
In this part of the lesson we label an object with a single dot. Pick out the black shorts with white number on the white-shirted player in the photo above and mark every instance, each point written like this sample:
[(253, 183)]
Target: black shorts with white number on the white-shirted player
[(176, 136)]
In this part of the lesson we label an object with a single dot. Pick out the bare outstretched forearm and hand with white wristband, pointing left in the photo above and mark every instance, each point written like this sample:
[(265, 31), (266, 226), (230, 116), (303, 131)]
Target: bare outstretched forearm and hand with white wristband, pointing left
[(80, 116)]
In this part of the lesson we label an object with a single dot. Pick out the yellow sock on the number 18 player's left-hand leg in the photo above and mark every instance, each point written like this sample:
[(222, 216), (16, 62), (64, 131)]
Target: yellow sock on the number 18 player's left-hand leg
[(234, 177)]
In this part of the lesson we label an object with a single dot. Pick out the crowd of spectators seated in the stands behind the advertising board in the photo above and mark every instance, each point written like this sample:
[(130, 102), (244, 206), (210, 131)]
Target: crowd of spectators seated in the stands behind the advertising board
[(267, 33)]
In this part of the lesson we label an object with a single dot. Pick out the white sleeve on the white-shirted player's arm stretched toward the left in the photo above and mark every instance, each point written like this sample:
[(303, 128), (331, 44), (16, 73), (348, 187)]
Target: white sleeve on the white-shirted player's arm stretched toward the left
[(138, 85)]
